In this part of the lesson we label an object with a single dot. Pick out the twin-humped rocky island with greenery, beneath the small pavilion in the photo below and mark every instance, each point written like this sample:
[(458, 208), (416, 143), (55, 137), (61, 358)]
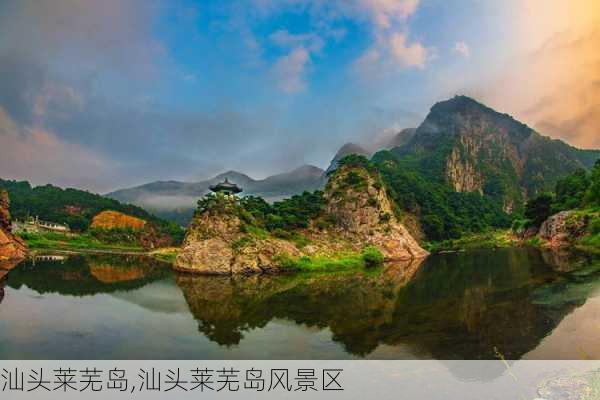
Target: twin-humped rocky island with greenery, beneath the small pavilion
[(353, 218)]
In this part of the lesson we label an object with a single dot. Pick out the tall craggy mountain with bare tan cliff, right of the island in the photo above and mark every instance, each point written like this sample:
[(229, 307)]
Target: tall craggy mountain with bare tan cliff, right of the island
[(474, 148)]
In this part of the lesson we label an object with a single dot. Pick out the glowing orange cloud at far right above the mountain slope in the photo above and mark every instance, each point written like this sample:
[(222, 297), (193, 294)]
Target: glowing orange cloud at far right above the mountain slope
[(555, 87)]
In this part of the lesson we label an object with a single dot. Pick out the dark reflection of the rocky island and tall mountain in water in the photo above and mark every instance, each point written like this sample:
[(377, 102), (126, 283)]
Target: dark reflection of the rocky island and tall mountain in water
[(463, 306)]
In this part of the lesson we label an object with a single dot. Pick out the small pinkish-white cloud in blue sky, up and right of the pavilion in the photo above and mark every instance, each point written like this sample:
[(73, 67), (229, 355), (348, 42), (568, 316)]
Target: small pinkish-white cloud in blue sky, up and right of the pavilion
[(290, 69)]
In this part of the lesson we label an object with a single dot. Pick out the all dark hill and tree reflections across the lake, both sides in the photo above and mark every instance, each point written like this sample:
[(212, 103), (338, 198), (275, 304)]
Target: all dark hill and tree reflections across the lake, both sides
[(452, 306)]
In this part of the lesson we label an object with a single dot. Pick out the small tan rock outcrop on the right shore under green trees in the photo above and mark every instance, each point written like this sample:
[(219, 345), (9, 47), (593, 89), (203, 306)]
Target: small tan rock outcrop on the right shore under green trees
[(562, 228)]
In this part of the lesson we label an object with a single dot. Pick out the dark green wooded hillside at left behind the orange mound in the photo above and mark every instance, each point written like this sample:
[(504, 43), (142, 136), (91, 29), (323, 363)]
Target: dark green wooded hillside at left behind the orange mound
[(73, 207)]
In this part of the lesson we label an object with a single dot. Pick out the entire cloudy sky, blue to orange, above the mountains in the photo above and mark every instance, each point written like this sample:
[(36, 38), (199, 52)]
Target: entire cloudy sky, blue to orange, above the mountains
[(108, 94)]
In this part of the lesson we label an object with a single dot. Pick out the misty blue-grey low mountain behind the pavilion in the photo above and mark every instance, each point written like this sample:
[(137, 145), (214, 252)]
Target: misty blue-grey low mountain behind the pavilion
[(177, 200)]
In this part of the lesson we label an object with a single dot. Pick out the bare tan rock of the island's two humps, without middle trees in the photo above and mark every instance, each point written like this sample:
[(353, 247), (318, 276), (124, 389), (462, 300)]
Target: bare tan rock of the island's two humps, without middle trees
[(217, 241)]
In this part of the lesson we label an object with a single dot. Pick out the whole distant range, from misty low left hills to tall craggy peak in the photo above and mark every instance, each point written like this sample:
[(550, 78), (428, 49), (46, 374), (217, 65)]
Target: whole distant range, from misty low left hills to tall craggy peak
[(461, 143)]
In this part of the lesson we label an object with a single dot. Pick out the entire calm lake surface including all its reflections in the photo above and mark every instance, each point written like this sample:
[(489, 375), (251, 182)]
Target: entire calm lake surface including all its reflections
[(521, 302)]
